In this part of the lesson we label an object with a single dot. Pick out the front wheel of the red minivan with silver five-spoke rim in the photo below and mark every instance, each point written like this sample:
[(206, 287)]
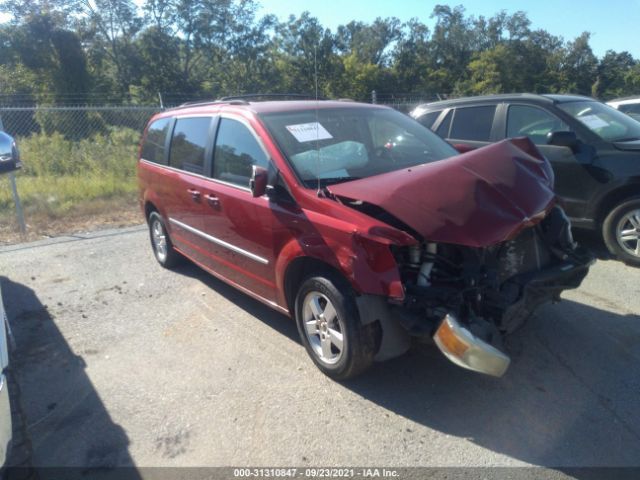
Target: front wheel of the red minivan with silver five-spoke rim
[(330, 328)]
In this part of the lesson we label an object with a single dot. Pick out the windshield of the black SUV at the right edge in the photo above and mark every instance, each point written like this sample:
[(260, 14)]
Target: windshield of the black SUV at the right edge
[(606, 122)]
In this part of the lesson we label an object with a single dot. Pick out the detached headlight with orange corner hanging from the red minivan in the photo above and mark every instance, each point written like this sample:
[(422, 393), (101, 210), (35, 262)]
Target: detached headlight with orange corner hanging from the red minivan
[(468, 351)]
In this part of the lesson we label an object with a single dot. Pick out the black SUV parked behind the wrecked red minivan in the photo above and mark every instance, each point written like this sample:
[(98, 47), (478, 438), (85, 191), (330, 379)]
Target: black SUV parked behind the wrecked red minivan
[(594, 150)]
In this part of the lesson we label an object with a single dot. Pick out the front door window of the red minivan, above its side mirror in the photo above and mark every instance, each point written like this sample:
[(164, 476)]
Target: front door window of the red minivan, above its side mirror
[(237, 150)]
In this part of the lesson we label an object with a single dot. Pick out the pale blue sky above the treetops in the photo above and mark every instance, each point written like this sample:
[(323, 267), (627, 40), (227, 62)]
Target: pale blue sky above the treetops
[(612, 23)]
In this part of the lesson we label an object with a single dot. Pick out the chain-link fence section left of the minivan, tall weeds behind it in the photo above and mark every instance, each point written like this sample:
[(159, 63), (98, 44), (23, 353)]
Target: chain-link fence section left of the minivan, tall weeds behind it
[(78, 161)]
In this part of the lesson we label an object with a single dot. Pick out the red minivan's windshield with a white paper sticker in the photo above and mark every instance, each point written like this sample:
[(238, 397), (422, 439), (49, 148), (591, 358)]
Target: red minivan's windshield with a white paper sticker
[(328, 146)]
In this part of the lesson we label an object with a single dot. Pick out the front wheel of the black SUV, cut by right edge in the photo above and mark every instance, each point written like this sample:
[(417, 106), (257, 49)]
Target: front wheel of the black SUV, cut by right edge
[(621, 231)]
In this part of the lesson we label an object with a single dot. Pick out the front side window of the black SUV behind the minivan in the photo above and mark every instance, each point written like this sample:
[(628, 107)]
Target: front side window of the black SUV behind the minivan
[(533, 122)]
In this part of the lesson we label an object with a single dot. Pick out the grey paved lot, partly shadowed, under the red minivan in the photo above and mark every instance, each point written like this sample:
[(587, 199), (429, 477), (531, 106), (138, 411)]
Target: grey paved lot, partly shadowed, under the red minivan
[(123, 363)]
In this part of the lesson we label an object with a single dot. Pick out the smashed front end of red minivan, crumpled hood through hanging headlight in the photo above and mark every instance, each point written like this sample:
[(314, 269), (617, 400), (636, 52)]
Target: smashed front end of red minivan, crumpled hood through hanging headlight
[(492, 246)]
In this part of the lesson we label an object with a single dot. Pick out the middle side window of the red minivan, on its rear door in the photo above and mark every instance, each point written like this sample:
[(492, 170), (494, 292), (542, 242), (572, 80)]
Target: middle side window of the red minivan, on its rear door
[(189, 144)]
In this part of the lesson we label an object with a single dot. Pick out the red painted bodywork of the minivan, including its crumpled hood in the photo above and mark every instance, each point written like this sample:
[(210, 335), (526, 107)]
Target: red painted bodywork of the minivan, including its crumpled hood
[(476, 199)]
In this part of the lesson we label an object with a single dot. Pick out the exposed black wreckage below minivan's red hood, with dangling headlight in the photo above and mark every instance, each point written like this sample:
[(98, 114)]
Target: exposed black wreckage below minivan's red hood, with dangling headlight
[(468, 298)]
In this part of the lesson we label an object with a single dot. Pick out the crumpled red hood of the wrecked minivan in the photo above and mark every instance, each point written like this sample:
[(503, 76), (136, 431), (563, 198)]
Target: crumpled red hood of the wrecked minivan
[(477, 199)]
